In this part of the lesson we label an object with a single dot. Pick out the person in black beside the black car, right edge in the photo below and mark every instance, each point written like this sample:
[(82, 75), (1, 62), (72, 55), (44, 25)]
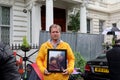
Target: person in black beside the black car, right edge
[(113, 57)]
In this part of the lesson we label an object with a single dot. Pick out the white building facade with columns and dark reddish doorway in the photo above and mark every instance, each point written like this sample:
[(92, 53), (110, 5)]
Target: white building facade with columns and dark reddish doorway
[(95, 15)]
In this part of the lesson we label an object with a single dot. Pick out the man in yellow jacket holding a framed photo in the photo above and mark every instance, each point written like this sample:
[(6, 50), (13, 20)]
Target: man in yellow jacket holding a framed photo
[(55, 43)]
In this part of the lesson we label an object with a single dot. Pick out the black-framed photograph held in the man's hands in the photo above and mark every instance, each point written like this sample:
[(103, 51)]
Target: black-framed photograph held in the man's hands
[(56, 60)]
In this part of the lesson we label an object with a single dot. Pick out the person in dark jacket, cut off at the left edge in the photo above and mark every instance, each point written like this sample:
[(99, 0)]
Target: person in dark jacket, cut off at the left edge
[(8, 68)]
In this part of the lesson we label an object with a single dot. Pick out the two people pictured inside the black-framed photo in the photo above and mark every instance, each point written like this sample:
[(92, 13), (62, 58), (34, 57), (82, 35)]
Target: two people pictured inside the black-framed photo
[(57, 63)]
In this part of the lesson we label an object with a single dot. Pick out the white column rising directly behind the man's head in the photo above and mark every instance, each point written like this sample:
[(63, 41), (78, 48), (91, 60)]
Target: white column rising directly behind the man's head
[(49, 14)]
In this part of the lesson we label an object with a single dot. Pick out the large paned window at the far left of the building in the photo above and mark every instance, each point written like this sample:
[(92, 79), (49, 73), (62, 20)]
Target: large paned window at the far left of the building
[(5, 24)]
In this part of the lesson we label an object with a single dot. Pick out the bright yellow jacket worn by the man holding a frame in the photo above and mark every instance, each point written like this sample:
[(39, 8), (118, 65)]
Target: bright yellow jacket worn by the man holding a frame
[(42, 60)]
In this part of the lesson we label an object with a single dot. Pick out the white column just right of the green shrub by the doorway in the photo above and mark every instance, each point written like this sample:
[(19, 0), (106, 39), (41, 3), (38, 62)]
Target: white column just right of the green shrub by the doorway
[(83, 19)]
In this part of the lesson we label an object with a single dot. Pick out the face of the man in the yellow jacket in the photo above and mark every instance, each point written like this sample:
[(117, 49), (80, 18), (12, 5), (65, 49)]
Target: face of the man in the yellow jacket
[(55, 33)]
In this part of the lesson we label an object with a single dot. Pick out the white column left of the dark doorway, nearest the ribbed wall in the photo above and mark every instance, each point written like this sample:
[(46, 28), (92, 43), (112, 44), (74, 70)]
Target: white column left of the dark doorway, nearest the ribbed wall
[(36, 22)]
